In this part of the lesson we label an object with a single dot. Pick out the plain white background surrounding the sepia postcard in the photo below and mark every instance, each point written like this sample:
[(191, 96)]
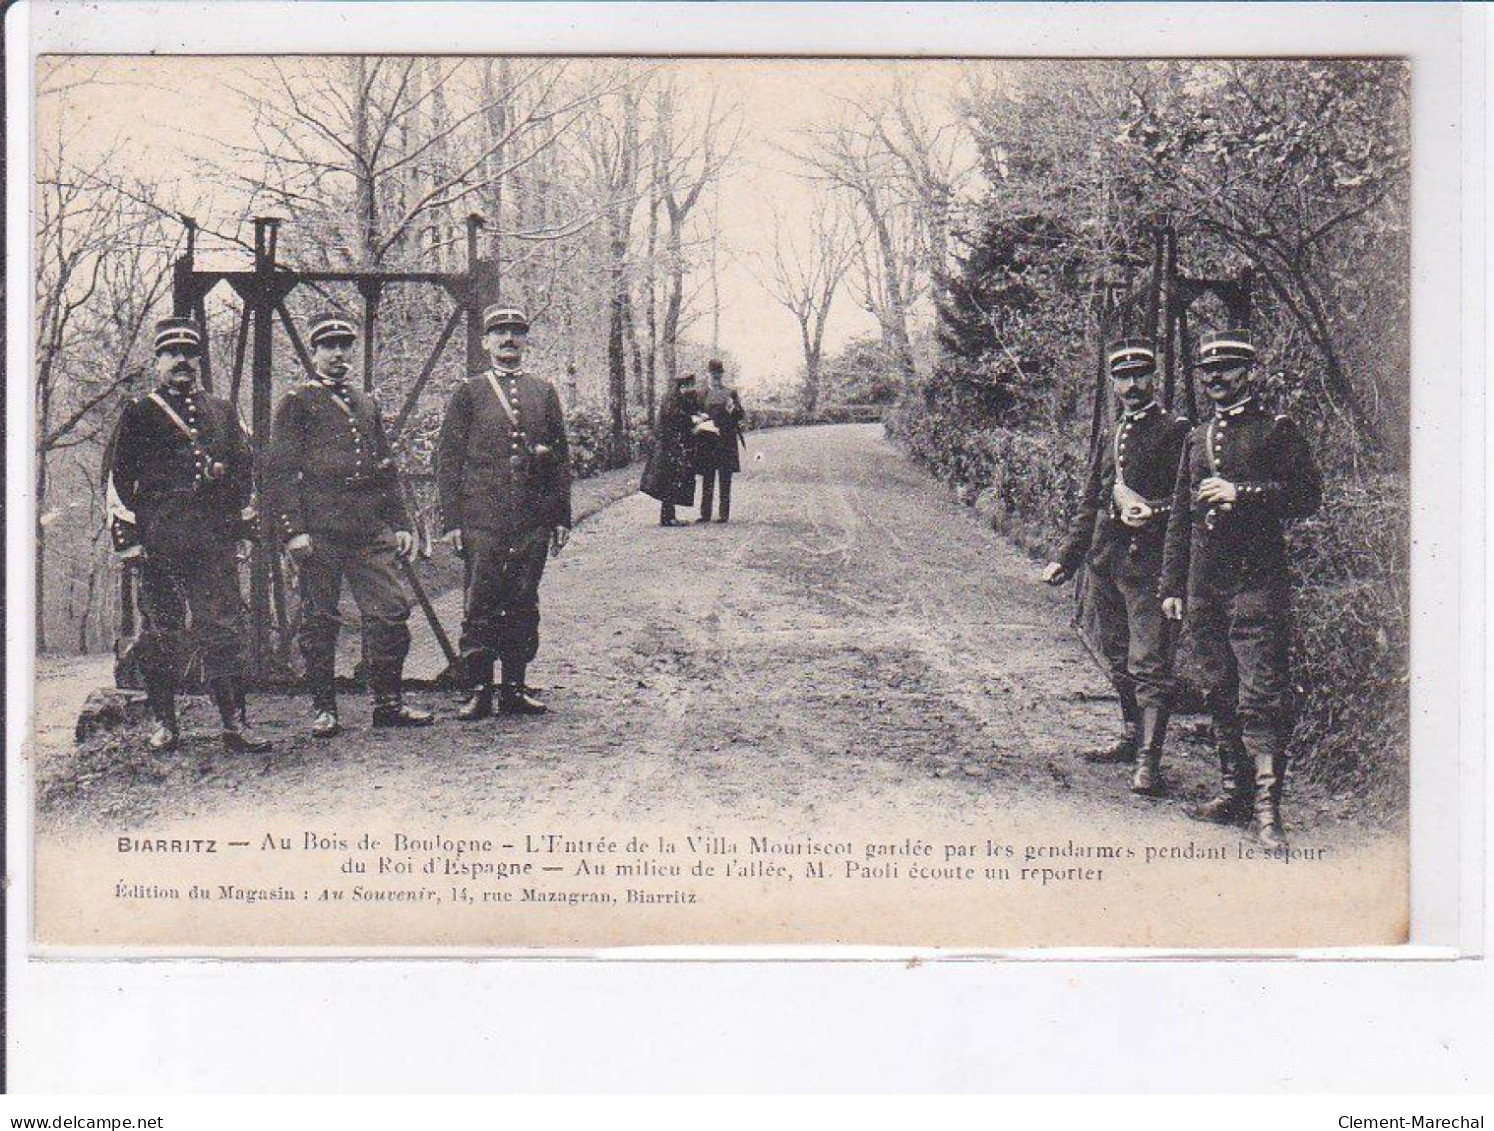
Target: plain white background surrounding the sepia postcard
[(1029, 1024)]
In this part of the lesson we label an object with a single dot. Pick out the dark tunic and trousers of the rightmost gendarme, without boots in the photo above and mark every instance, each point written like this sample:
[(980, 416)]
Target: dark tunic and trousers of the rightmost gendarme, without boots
[(1230, 563)]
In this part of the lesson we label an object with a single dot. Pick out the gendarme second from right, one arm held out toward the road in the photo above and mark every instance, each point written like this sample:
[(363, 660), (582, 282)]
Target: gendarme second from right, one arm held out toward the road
[(1120, 531)]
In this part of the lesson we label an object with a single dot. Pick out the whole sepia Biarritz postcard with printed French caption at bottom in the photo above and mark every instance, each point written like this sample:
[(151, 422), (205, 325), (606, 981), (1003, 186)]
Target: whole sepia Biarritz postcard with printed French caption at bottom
[(573, 501)]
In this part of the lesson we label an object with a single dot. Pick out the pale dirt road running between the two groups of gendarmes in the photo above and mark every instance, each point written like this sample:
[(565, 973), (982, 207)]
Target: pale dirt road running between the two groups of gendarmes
[(852, 640)]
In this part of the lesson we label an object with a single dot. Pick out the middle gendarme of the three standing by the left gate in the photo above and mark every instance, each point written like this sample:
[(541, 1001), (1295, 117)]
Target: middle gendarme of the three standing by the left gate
[(335, 498)]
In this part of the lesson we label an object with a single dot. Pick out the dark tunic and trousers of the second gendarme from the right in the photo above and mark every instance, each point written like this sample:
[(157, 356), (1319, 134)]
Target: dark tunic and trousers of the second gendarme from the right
[(1126, 563)]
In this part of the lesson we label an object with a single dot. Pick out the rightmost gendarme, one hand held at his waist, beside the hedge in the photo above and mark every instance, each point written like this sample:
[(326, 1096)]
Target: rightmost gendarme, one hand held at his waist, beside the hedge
[(1242, 476)]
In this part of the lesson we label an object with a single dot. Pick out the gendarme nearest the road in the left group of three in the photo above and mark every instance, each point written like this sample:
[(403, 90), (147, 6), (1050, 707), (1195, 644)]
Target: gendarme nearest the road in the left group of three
[(504, 477)]
